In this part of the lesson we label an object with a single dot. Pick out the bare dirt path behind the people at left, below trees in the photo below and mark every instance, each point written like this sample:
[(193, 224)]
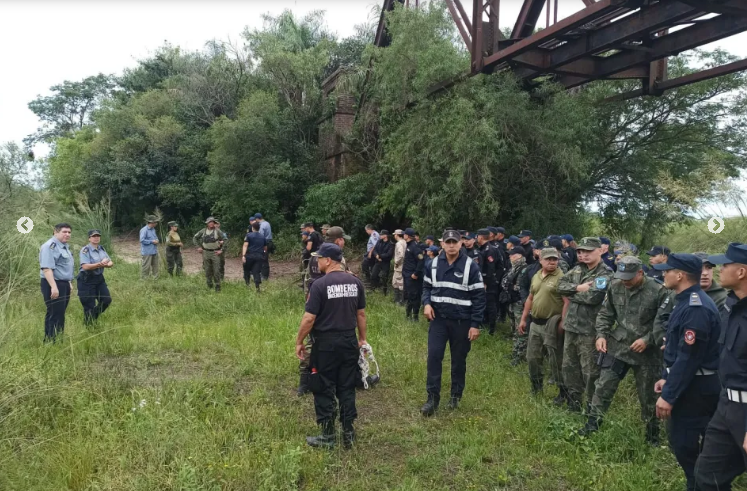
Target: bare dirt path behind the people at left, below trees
[(128, 248)]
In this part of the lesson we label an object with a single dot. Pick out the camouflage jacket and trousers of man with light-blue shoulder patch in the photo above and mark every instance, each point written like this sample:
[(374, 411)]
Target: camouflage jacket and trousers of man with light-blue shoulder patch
[(580, 369)]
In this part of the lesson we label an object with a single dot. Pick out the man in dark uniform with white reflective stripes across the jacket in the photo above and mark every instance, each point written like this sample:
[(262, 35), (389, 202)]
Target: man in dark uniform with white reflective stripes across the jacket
[(454, 299)]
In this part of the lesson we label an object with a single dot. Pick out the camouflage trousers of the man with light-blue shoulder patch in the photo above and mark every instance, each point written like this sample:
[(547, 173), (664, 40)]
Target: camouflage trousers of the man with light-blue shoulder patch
[(580, 369)]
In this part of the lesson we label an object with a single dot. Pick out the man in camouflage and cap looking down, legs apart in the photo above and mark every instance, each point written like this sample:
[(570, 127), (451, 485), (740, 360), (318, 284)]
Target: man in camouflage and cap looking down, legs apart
[(625, 337)]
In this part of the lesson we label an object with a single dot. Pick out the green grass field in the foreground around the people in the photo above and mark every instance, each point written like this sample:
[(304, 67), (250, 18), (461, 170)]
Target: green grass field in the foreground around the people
[(184, 389)]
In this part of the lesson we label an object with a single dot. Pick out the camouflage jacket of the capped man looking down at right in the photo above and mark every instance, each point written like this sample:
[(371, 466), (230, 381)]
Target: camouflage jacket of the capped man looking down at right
[(628, 315)]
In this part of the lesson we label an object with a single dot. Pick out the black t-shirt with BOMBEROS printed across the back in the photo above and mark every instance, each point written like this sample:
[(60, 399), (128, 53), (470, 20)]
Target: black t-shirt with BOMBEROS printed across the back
[(335, 300)]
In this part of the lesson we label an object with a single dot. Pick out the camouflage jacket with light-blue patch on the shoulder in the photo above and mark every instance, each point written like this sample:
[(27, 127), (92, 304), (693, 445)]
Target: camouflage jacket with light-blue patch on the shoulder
[(584, 307)]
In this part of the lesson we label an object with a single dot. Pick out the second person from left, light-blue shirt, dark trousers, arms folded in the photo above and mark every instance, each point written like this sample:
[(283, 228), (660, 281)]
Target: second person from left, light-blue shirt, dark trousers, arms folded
[(92, 290)]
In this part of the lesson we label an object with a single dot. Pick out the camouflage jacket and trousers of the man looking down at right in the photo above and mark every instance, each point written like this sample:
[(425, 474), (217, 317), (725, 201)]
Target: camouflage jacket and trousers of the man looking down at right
[(626, 316)]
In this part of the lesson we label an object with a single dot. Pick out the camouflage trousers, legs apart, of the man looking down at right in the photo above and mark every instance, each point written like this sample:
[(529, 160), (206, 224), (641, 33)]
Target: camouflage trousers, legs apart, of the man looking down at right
[(609, 379)]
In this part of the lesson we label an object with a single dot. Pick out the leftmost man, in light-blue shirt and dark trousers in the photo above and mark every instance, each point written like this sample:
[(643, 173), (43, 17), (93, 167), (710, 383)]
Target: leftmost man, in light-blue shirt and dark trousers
[(56, 266)]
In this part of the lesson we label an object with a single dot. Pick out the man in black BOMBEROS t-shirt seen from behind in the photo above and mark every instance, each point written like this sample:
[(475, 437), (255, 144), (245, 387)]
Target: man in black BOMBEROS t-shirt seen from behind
[(335, 307)]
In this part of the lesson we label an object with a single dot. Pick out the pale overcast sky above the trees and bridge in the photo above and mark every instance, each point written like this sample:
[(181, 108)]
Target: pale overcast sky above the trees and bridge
[(47, 42)]
